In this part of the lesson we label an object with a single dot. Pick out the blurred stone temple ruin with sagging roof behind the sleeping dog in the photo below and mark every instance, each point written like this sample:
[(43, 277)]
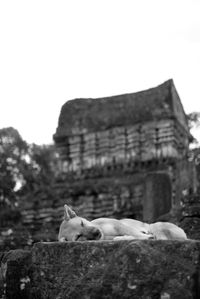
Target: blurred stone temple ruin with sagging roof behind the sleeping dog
[(125, 155)]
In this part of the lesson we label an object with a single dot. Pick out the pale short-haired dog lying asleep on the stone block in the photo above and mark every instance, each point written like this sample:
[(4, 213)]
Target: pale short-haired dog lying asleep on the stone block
[(74, 228)]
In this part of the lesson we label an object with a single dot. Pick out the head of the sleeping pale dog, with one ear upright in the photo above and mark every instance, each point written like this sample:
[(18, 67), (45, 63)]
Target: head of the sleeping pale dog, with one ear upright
[(74, 228)]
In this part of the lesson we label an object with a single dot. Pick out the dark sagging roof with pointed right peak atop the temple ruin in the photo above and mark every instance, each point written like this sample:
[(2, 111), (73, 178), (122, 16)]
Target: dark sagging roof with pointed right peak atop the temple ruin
[(90, 115)]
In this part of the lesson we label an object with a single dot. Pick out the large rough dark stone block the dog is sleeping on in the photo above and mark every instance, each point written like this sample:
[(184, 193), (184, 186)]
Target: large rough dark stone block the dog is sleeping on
[(124, 269)]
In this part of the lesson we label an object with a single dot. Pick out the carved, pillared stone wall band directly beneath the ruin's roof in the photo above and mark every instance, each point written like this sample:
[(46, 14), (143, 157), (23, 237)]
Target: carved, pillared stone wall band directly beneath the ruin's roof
[(126, 144)]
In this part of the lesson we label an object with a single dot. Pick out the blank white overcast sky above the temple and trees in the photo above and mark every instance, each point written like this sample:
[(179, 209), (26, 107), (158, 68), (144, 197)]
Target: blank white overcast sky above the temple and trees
[(54, 51)]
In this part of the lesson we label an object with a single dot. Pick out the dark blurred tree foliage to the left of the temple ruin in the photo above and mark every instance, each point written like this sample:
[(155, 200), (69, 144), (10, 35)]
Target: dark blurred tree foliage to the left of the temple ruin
[(27, 172)]
